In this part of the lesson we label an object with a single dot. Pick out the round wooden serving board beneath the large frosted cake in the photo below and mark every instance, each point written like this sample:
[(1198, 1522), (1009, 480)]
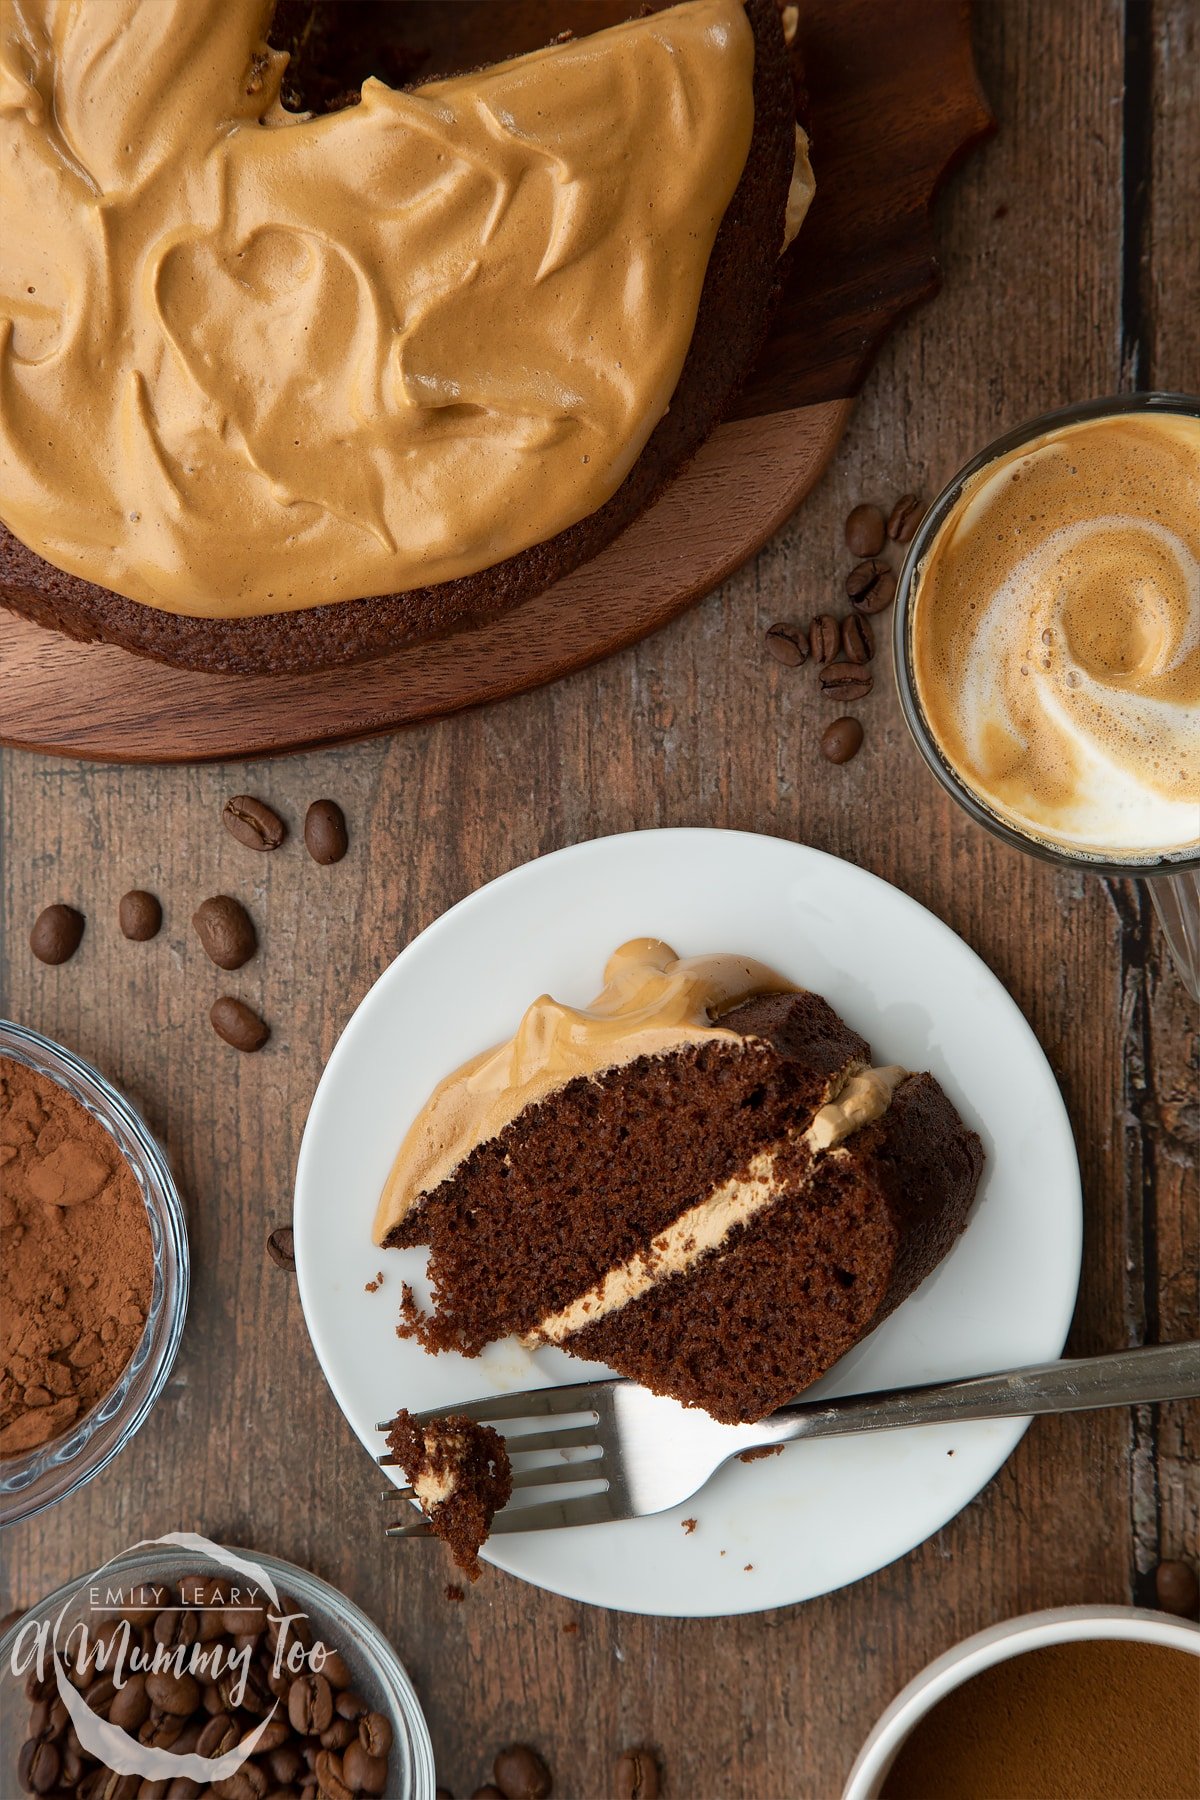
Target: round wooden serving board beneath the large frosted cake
[(893, 102)]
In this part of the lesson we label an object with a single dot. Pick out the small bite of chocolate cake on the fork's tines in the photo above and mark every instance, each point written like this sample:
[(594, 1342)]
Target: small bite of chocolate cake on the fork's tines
[(461, 1477)]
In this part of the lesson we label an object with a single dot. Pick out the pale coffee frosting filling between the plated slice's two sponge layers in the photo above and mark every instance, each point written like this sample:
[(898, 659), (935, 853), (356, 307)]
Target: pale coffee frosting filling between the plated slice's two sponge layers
[(704, 1228)]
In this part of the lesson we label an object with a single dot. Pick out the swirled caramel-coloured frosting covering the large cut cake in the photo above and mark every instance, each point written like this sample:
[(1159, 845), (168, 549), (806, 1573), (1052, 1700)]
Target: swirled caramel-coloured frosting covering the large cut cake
[(255, 363)]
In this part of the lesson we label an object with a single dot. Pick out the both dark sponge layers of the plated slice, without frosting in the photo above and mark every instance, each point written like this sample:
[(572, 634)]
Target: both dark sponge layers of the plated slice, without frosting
[(589, 1178)]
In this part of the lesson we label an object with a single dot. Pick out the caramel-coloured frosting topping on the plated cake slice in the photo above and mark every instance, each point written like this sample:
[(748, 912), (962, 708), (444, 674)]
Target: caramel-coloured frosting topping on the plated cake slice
[(652, 1003)]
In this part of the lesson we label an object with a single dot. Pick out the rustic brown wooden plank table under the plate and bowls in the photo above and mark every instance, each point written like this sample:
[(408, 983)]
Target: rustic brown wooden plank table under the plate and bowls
[(1071, 253)]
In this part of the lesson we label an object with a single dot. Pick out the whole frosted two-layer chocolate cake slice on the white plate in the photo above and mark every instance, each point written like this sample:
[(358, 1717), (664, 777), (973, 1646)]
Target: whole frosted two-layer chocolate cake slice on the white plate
[(719, 1196)]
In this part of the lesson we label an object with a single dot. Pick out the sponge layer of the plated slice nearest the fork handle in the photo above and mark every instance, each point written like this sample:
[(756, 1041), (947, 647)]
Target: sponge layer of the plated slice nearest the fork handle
[(848, 1234)]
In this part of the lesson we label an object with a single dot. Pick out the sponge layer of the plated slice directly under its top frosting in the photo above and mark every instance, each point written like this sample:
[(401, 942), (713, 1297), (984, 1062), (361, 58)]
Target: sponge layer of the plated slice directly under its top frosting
[(586, 1180)]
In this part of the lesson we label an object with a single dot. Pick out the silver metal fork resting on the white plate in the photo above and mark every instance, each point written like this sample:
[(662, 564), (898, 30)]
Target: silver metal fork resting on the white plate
[(640, 1453)]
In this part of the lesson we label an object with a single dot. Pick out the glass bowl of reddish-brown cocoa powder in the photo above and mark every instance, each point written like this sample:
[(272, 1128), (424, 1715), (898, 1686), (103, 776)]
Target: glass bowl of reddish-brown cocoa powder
[(94, 1272)]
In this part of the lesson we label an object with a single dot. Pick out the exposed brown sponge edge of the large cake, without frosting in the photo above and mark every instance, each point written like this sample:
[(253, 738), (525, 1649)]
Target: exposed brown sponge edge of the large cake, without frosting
[(737, 307)]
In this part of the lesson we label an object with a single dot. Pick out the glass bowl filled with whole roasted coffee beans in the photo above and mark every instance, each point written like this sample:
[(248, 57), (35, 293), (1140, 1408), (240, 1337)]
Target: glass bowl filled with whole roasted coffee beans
[(184, 1669)]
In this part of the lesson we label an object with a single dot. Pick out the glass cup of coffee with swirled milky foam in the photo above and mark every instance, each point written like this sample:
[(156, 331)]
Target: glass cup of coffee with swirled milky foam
[(1048, 645)]
